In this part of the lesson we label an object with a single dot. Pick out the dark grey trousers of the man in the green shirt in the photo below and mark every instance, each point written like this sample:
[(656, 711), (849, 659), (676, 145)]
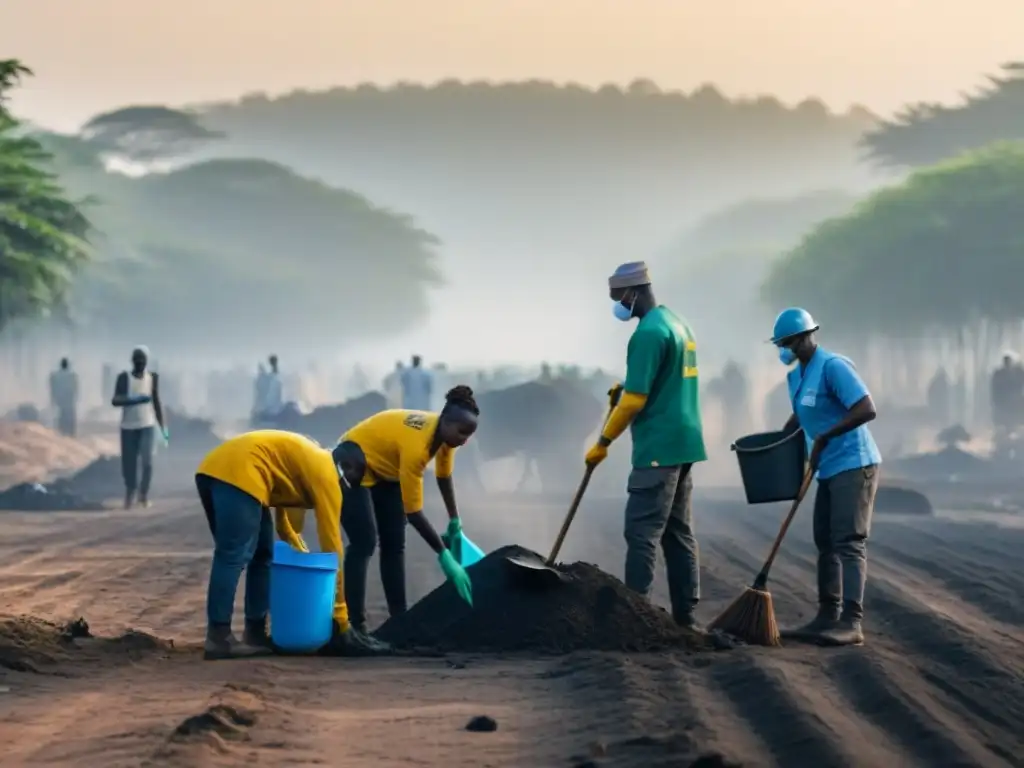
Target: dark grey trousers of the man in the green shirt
[(659, 511)]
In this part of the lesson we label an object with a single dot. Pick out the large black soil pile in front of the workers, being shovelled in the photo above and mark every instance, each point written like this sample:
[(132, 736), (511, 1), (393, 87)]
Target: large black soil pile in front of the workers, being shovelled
[(588, 611)]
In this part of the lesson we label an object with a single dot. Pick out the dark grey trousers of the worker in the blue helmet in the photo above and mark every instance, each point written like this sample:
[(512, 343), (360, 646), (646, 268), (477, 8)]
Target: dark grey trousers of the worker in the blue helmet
[(843, 510)]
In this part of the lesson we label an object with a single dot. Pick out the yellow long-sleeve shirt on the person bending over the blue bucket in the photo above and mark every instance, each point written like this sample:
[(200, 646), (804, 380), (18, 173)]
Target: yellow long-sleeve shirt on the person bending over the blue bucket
[(289, 473)]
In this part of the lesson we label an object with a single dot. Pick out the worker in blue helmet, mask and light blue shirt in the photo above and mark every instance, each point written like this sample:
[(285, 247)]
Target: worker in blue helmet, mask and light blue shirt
[(833, 406)]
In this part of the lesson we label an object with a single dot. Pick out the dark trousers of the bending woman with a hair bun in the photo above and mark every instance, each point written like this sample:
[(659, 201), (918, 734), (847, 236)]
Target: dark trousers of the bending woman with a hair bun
[(369, 516)]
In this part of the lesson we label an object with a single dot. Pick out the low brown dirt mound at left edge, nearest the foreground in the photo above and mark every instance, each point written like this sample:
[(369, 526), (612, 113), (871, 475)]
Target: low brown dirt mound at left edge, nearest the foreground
[(31, 645)]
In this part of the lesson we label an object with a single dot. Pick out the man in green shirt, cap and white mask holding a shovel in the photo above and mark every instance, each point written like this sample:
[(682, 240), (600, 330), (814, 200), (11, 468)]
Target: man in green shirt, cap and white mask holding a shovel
[(661, 405)]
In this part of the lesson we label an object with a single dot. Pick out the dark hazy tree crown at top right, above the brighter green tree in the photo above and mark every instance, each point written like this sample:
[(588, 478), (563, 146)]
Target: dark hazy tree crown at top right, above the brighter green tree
[(927, 134)]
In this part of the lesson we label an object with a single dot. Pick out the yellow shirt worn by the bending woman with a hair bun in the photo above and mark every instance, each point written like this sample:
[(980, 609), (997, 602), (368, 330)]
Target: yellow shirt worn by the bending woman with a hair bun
[(397, 445)]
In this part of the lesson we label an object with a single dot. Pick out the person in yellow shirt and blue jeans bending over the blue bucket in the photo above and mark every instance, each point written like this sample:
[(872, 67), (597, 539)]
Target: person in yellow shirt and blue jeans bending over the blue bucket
[(238, 483)]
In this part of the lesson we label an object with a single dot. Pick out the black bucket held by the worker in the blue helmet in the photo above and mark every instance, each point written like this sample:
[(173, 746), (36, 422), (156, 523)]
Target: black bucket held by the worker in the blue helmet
[(772, 465)]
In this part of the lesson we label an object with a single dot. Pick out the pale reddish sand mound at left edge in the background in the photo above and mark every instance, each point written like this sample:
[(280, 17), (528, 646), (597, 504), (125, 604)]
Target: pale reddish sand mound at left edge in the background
[(32, 453)]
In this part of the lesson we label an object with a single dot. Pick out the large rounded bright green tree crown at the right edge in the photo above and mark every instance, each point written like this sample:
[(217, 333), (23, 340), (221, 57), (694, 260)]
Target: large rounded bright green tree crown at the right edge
[(940, 252)]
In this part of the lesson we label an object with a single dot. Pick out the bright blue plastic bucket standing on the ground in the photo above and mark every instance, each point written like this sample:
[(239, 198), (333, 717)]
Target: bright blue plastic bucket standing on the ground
[(303, 591)]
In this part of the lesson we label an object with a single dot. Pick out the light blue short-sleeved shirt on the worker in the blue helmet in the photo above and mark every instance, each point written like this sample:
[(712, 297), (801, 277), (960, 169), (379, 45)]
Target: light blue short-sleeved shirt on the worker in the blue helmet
[(823, 394)]
